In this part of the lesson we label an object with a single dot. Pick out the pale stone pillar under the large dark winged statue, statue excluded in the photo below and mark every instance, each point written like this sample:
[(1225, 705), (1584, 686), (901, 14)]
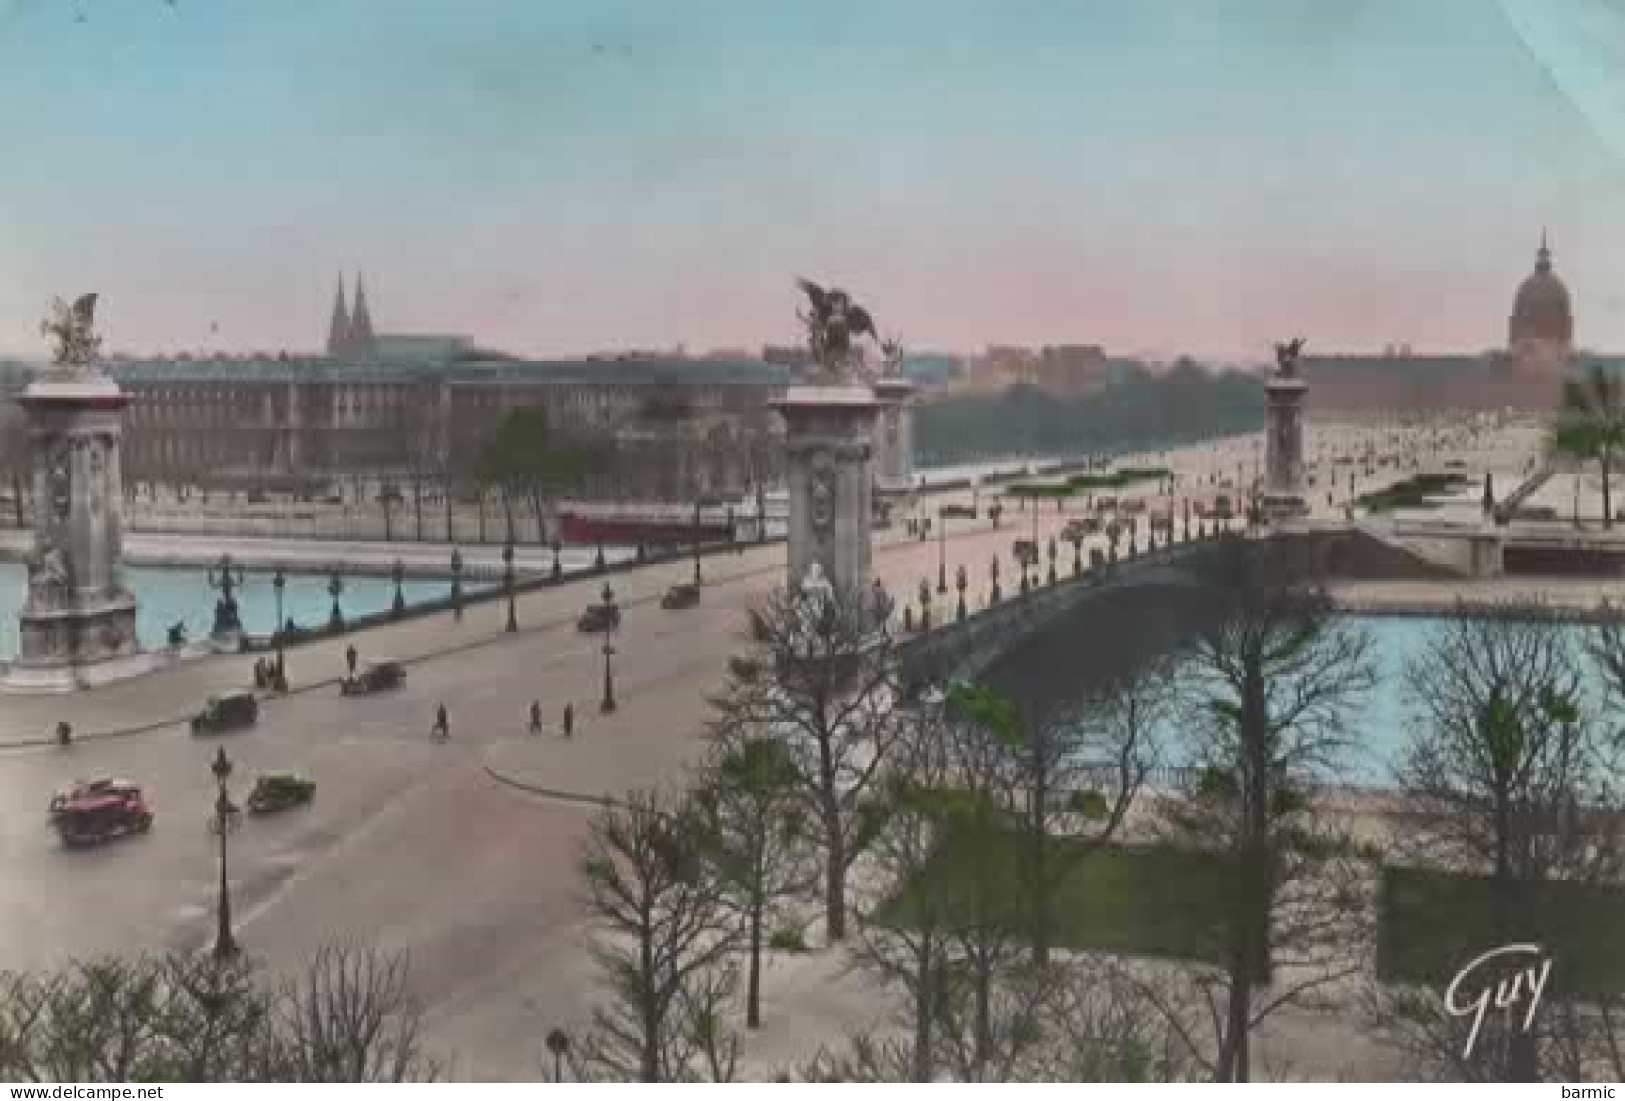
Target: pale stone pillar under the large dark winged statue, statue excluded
[(830, 447)]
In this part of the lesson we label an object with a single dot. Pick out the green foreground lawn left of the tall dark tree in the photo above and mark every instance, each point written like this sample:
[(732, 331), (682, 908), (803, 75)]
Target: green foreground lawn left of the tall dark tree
[(1153, 902)]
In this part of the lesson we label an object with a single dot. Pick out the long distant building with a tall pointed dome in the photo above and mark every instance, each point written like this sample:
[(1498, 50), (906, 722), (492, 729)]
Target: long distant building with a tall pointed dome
[(1525, 376)]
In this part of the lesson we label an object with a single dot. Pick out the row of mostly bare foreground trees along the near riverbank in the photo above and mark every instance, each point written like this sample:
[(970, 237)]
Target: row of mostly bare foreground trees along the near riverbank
[(940, 829)]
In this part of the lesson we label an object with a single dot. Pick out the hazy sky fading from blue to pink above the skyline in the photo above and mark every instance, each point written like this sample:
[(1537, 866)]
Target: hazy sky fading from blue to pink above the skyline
[(1159, 176)]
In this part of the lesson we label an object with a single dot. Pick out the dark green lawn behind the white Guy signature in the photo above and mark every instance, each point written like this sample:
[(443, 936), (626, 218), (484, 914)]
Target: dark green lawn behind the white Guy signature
[(1432, 925)]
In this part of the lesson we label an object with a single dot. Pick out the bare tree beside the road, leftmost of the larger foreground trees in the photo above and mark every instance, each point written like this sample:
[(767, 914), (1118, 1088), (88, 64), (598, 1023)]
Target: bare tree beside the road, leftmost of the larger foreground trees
[(664, 941)]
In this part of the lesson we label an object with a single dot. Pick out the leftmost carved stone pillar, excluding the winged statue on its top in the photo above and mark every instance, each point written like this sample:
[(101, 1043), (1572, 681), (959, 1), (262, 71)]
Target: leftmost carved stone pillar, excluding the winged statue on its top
[(77, 626)]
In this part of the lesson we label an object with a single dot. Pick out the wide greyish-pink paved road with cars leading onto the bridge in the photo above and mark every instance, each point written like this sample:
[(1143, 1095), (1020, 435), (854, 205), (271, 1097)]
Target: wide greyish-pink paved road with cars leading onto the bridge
[(410, 844)]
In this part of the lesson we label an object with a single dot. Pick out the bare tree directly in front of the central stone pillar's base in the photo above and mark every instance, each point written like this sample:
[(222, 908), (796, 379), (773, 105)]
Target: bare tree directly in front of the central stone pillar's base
[(823, 683)]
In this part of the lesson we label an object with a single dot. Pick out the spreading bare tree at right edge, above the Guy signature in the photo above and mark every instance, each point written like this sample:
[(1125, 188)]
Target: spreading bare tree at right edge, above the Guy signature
[(1510, 784)]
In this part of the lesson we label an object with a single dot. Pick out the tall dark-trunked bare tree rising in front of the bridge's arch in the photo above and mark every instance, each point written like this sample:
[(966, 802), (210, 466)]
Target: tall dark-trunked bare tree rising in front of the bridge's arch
[(1275, 678)]
